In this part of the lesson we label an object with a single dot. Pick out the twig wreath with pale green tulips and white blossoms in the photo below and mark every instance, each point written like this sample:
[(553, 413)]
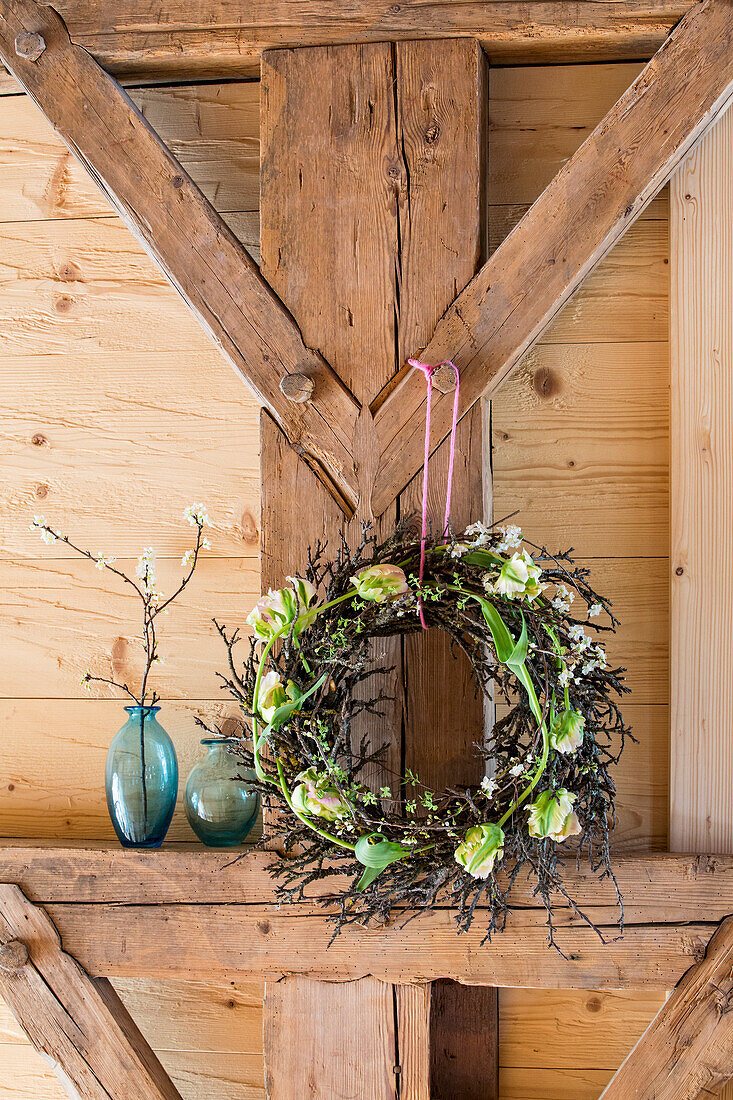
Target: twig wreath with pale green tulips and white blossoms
[(314, 668)]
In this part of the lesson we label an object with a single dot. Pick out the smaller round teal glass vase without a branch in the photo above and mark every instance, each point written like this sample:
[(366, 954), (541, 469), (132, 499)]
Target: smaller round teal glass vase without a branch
[(222, 806)]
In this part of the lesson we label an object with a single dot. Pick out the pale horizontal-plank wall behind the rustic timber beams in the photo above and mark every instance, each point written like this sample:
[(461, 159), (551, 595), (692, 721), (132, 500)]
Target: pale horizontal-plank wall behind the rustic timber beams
[(116, 412)]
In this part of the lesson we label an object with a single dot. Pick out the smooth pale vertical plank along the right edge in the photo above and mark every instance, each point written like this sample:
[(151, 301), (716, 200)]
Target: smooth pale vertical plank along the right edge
[(702, 512)]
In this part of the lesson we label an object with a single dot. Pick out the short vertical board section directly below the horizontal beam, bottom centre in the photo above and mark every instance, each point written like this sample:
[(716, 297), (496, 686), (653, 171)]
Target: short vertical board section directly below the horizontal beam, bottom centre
[(357, 1043)]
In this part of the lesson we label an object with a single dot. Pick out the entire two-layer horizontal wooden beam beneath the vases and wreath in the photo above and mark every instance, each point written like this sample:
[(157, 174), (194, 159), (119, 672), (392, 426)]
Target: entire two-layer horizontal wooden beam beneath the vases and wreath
[(181, 911)]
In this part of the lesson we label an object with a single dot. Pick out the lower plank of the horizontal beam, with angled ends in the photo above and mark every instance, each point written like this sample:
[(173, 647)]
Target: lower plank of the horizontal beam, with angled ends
[(259, 941)]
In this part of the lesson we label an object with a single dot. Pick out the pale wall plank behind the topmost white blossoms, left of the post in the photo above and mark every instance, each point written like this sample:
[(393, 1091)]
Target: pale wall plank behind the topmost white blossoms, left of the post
[(191, 434)]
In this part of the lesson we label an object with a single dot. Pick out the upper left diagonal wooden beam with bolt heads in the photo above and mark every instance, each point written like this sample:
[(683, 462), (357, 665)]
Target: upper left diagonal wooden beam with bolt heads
[(184, 235)]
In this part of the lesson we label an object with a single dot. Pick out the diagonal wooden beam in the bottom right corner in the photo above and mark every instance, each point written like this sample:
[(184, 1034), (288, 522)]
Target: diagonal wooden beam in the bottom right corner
[(687, 1051)]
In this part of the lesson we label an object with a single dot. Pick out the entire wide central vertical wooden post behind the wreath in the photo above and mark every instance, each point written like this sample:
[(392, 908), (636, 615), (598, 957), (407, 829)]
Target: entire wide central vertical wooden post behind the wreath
[(398, 133)]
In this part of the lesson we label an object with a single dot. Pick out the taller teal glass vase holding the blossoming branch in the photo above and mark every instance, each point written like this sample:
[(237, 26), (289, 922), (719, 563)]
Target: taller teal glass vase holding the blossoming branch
[(141, 779)]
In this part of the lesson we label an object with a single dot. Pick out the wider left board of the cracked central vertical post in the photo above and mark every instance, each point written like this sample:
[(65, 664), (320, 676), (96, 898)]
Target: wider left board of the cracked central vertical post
[(330, 248)]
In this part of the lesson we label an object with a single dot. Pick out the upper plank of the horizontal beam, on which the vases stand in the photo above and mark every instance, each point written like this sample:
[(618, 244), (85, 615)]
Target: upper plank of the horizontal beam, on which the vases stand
[(659, 888)]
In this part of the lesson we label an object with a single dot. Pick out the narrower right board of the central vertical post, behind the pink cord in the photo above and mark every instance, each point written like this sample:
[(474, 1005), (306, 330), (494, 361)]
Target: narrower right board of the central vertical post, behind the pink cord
[(443, 96)]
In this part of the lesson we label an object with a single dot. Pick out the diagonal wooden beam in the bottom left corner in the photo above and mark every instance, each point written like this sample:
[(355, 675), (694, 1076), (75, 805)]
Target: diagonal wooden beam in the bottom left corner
[(81, 1026)]
